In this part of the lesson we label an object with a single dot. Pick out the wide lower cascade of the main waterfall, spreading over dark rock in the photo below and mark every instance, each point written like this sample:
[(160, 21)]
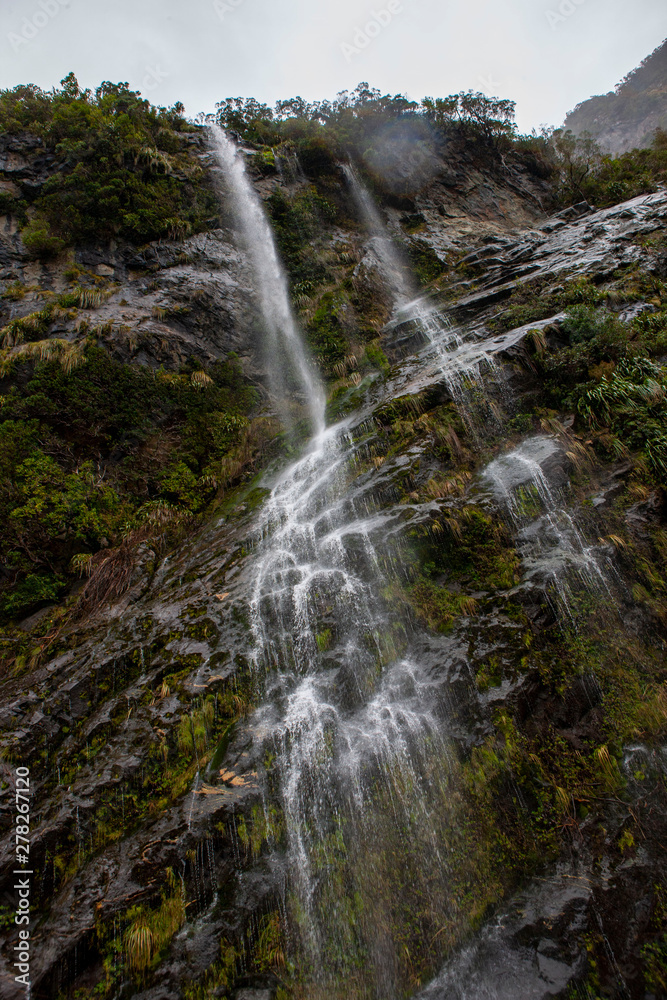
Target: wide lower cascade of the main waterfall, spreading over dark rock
[(346, 713)]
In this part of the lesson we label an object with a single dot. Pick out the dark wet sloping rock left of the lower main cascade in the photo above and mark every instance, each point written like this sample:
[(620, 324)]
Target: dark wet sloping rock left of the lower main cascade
[(129, 874)]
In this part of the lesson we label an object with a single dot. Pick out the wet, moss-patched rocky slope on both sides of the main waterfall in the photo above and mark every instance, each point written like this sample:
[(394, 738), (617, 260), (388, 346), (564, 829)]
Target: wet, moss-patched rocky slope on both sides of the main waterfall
[(155, 815)]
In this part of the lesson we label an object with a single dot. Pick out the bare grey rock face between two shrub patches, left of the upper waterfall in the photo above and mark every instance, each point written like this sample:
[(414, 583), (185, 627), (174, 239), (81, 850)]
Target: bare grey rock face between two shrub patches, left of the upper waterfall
[(169, 303)]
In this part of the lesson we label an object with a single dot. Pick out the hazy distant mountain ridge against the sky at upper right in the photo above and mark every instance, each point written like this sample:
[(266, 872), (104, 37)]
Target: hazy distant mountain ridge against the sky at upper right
[(627, 117)]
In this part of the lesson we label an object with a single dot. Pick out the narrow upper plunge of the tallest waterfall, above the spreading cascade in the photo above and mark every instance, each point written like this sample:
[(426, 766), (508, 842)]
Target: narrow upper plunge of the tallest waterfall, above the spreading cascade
[(287, 357)]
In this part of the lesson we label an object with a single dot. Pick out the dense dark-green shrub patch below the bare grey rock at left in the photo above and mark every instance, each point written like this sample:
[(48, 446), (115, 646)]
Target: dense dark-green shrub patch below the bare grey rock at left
[(87, 455)]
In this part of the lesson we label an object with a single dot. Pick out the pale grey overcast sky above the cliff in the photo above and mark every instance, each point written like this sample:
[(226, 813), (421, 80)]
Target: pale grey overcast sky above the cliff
[(547, 55)]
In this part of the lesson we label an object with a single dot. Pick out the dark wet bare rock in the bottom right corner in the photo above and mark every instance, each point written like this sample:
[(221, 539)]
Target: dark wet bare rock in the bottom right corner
[(540, 945)]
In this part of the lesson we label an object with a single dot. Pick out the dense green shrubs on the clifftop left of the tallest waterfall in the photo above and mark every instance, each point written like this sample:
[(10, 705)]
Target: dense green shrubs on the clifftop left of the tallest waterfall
[(115, 167)]
